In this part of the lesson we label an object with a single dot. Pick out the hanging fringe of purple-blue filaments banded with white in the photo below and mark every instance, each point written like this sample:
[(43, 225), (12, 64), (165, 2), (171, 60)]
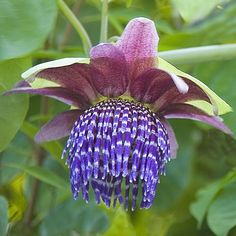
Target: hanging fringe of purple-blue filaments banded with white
[(120, 148)]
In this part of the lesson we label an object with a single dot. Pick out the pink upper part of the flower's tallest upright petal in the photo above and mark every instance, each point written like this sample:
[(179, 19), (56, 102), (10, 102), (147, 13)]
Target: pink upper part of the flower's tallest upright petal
[(139, 39)]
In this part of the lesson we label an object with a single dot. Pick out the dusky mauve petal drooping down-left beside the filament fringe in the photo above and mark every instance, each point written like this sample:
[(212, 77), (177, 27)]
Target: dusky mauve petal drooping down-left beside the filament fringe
[(58, 127)]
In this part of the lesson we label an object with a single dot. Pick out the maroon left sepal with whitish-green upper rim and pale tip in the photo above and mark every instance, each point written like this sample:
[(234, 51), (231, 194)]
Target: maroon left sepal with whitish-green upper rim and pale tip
[(70, 73)]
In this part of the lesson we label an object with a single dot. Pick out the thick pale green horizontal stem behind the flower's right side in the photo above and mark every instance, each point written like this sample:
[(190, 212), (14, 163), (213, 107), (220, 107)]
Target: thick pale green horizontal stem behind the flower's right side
[(200, 54)]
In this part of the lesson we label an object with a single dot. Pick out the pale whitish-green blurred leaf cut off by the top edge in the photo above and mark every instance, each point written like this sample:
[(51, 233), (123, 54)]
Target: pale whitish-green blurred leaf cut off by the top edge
[(195, 10)]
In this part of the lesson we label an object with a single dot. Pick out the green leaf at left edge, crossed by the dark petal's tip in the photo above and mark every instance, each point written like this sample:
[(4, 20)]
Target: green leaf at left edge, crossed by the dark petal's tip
[(12, 108)]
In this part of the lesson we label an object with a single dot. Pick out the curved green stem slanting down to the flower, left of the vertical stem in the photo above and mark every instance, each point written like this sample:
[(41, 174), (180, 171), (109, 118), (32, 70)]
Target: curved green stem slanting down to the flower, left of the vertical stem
[(77, 25)]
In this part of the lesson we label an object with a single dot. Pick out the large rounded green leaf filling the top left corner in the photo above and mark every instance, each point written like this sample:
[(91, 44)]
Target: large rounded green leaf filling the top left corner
[(25, 25)]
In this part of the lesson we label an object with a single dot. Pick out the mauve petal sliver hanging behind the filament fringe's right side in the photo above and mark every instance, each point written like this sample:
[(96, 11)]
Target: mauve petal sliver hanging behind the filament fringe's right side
[(173, 142)]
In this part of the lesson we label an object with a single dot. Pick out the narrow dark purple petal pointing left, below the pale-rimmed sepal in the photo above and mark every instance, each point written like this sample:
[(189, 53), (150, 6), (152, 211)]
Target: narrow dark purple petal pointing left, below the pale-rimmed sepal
[(58, 93)]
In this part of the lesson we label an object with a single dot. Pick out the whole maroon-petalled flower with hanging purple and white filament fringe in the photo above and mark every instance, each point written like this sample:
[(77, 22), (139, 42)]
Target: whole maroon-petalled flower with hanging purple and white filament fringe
[(120, 140)]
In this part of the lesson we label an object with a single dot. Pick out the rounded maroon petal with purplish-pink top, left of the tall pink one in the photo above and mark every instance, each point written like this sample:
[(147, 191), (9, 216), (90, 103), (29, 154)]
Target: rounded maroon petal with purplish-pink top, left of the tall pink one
[(109, 71)]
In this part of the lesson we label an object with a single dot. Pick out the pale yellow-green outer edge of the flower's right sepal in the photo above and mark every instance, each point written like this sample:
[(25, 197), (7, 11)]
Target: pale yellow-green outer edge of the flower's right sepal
[(219, 106)]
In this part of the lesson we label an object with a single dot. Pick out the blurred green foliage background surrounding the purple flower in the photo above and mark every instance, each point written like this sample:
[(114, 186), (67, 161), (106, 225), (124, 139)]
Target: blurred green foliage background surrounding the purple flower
[(197, 197)]
